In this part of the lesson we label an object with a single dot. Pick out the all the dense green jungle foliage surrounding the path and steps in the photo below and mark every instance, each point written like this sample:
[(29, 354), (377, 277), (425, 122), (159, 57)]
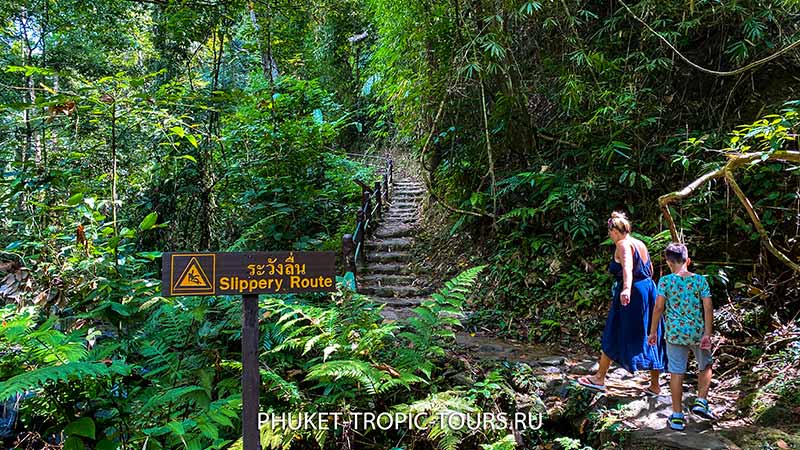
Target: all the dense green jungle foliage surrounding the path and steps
[(130, 128)]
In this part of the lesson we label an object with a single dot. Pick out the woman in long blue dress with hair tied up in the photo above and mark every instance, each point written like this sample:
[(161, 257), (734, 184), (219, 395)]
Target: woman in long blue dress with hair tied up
[(628, 322)]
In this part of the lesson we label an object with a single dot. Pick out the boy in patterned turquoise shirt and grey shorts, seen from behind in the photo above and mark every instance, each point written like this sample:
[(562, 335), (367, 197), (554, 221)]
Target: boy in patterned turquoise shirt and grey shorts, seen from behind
[(686, 299)]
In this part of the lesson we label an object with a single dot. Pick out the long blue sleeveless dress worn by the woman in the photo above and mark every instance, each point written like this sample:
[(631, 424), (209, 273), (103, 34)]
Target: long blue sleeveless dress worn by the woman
[(627, 327)]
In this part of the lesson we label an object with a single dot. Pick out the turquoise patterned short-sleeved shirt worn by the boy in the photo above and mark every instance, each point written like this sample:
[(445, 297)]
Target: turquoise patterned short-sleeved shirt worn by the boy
[(684, 307)]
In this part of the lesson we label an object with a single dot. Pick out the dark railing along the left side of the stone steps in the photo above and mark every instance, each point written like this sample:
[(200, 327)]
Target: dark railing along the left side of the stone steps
[(354, 245)]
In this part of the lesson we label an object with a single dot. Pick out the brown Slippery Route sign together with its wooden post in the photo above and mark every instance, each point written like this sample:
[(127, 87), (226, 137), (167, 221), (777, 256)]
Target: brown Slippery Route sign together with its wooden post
[(248, 274)]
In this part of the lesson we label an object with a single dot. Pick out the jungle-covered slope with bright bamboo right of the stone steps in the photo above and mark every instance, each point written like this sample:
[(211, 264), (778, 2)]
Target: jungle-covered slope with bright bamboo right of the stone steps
[(536, 119)]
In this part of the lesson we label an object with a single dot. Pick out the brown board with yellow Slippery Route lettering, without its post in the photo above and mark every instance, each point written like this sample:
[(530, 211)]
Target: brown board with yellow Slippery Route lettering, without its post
[(247, 273)]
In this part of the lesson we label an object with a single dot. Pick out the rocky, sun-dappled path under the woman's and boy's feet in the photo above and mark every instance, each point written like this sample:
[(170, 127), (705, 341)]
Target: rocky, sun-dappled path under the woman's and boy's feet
[(642, 418)]
